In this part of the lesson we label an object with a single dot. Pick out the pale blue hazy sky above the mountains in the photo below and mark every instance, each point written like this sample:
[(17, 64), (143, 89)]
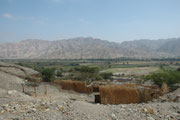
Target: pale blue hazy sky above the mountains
[(113, 20)]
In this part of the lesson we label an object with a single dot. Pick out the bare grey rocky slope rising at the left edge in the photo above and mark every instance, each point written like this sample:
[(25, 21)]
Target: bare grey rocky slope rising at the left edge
[(12, 76)]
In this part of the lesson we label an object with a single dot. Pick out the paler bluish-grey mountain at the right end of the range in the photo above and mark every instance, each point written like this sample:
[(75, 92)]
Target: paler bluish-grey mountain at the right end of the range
[(161, 47)]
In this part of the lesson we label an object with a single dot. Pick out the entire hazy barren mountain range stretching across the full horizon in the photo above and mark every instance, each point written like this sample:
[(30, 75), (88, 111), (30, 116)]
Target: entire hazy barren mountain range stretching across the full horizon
[(77, 48)]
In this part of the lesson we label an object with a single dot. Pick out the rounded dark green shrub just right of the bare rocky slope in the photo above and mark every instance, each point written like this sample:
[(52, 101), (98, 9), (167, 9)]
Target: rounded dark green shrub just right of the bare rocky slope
[(48, 74)]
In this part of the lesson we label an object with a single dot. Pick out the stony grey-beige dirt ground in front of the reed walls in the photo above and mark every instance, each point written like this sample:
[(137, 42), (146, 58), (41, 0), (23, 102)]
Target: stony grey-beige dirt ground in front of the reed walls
[(64, 105)]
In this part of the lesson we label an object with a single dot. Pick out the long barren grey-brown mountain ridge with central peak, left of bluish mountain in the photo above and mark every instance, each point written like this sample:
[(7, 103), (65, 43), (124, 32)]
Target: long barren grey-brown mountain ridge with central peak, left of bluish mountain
[(75, 48)]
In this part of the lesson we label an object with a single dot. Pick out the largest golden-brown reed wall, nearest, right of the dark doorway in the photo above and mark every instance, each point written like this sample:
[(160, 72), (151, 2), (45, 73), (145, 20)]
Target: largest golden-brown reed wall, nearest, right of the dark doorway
[(119, 94)]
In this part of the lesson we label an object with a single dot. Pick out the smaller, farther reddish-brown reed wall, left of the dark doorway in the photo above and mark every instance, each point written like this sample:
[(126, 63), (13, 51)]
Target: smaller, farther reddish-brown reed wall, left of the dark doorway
[(75, 86)]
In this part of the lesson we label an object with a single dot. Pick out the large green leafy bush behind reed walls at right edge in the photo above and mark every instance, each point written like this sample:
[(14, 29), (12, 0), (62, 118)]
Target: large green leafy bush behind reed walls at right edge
[(171, 78)]
